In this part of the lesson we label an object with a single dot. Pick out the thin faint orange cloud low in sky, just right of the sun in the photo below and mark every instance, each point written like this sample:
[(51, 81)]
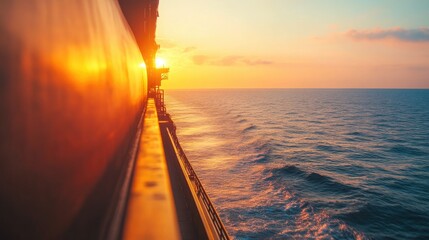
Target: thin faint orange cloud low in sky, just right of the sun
[(228, 61)]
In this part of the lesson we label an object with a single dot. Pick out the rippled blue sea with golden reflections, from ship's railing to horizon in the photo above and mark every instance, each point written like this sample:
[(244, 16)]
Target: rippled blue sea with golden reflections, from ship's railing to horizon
[(311, 164)]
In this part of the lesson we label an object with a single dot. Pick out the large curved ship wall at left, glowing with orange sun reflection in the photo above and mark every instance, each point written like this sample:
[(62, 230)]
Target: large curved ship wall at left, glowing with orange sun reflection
[(71, 92)]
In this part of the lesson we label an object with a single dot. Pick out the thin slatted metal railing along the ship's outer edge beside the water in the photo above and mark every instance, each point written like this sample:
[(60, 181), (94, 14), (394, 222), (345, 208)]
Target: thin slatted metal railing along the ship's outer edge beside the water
[(202, 194)]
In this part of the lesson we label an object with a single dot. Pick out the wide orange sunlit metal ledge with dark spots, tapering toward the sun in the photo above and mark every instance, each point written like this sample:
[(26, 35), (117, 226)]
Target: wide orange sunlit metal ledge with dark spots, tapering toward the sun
[(151, 213)]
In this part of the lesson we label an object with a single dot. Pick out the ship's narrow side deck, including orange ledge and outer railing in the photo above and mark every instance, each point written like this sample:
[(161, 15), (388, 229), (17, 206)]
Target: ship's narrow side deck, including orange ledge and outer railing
[(163, 198)]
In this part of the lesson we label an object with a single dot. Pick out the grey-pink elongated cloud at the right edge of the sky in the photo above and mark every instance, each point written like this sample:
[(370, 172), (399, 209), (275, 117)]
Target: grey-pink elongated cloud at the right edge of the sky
[(398, 34)]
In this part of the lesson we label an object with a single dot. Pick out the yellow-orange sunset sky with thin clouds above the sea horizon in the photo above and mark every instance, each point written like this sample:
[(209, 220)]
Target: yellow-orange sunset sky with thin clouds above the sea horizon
[(295, 43)]
